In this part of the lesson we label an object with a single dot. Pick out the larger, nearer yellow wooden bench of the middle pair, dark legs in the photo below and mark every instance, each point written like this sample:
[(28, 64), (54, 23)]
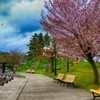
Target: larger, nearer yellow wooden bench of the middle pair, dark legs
[(69, 80)]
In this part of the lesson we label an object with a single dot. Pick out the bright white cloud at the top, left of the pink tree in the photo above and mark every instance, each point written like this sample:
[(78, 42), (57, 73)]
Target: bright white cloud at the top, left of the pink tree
[(26, 9)]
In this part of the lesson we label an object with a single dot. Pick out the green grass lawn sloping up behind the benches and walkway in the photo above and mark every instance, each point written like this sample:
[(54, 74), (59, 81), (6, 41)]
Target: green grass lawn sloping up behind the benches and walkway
[(83, 71)]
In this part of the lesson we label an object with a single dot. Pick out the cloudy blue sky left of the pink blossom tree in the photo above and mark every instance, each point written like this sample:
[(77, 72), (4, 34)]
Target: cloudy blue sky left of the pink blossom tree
[(19, 19)]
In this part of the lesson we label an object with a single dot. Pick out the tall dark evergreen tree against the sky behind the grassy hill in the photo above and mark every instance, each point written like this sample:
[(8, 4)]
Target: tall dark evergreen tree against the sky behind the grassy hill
[(37, 43)]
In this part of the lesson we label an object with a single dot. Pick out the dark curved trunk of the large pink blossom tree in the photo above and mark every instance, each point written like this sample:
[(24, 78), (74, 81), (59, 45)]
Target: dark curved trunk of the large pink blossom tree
[(94, 69)]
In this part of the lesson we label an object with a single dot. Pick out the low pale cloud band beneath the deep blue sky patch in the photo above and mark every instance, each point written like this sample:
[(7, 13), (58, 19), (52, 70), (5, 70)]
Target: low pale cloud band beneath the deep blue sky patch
[(17, 41)]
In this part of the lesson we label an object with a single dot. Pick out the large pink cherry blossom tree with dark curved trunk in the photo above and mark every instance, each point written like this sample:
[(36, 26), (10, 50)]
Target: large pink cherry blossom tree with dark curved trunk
[(75, 26)]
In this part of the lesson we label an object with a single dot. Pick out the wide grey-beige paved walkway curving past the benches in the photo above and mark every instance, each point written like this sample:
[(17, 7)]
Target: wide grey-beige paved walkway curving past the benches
[(39, 87)]
